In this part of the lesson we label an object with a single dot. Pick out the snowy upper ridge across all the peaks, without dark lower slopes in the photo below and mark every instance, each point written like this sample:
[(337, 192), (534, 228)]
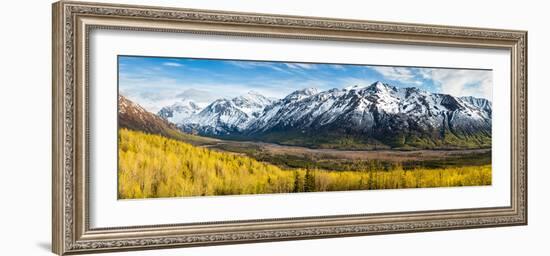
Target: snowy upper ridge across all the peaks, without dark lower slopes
[(309, 107)]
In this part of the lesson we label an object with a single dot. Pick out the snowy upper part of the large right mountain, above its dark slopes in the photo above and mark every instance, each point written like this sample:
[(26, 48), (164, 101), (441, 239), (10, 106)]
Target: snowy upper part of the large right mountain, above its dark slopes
[(360, 109)]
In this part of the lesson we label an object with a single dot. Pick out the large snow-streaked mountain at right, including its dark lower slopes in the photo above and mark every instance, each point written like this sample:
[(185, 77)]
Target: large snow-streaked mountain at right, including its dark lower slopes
[(380, 113)]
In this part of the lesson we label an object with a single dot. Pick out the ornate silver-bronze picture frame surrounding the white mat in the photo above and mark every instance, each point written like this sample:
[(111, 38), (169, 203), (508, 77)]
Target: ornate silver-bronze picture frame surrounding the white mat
[(72, 22)]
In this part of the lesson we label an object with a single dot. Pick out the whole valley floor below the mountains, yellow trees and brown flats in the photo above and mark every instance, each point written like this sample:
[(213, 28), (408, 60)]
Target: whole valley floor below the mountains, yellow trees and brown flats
[(152, 166)]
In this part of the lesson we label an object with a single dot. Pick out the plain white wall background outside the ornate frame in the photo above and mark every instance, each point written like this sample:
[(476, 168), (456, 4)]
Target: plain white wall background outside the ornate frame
[(25, 141)]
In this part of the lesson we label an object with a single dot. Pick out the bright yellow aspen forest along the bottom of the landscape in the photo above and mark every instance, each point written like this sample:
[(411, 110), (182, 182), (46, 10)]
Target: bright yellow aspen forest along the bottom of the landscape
[(153, 166)]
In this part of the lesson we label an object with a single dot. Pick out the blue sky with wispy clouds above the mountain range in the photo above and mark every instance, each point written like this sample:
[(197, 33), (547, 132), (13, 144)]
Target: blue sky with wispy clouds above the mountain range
[(157, 82)]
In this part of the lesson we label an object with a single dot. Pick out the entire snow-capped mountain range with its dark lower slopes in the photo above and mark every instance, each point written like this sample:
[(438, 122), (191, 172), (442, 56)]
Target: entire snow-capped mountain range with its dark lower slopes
[(356, 117)]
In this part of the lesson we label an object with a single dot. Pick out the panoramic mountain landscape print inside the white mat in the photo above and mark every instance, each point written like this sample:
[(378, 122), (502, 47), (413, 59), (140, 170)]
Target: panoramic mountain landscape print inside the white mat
[(213, 127)]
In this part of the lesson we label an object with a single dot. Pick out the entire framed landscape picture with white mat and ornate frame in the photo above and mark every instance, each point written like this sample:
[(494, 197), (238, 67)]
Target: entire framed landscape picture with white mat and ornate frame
[(179, 127)]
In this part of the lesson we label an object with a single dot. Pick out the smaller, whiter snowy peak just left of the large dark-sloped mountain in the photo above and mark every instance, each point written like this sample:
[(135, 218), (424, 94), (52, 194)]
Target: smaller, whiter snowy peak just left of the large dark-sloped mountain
[(227, 116)]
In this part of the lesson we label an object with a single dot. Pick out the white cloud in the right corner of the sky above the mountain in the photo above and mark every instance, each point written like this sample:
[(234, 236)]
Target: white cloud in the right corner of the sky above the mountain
[(477, 83)]
